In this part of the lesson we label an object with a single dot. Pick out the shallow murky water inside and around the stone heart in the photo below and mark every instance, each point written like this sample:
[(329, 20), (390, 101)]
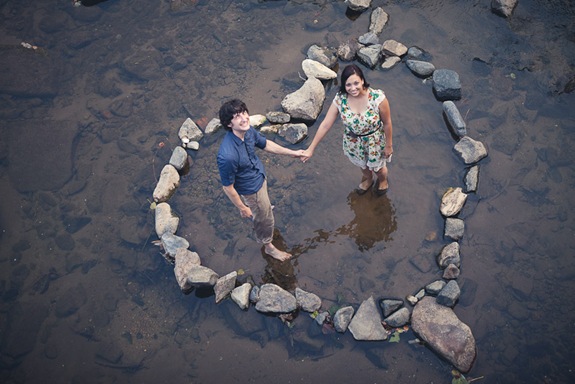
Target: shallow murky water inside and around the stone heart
[(89, 118)]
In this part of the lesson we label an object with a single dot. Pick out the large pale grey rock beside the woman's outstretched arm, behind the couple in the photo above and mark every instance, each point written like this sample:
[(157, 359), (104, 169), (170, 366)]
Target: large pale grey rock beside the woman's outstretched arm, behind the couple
[(305, 103)]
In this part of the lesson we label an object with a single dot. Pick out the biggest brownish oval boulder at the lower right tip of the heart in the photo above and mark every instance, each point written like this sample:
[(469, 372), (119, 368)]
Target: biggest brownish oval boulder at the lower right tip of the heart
[(442, 330)]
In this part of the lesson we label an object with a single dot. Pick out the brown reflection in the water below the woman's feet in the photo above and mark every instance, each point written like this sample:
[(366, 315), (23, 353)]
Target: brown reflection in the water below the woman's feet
[(374, 221)]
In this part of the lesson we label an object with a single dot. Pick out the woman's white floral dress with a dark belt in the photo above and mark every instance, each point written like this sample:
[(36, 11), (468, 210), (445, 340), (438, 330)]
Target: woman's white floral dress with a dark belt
[(363, 136)]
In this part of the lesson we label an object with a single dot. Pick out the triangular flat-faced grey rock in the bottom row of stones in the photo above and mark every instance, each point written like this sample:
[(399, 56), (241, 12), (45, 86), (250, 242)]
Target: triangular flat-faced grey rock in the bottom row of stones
[(366, 324)]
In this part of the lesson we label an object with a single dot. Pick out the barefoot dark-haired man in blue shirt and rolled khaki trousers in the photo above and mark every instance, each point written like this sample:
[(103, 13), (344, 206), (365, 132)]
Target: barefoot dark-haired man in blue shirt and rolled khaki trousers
[(242, 172)]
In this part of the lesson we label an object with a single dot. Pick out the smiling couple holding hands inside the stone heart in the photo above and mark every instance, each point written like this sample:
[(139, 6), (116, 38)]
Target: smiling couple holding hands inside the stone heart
[(367, 142)]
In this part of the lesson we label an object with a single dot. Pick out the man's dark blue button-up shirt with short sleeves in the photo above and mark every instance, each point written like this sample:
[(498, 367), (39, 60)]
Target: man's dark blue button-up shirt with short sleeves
[(238, 163)]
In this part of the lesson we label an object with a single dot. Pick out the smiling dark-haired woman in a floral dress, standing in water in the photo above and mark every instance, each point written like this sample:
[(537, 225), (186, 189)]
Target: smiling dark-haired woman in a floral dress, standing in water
[(368, 134)]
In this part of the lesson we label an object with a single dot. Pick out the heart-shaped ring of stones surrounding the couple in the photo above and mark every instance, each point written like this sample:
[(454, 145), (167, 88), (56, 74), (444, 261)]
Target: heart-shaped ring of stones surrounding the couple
[(366, 323)]
